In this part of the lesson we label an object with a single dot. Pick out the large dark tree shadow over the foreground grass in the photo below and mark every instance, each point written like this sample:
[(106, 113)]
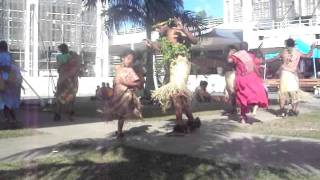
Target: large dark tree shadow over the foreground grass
[(97, 159)]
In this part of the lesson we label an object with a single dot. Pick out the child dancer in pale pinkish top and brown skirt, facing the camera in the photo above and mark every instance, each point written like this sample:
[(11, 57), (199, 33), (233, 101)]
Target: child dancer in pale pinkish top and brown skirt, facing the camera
[(124, 103)]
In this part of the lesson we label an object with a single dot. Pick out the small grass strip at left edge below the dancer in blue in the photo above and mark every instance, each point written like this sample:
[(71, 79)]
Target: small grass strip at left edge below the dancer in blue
[(18, 133)]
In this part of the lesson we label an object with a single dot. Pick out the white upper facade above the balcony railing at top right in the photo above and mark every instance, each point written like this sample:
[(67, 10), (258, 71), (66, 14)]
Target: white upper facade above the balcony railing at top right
[(261, 10)]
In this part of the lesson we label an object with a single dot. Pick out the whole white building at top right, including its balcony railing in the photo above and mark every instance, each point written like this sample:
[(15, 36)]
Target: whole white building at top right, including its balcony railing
[(270, 22)]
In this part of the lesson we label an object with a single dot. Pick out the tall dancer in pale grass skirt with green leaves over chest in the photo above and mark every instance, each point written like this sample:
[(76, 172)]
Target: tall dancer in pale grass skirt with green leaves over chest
[(174, 45)]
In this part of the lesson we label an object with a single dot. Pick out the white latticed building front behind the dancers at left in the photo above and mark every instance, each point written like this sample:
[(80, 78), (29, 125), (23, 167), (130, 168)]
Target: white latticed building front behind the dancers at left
[(34, 29)]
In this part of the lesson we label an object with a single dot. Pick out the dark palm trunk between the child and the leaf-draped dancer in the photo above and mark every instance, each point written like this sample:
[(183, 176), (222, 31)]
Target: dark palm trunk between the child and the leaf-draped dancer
[(149, 66)]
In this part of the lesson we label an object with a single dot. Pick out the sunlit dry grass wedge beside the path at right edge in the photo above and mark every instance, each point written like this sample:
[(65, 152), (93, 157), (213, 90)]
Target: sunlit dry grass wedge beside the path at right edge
[(306, 125)]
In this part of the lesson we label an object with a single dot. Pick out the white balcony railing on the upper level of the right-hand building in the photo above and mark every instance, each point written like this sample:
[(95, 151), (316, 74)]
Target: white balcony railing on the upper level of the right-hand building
[(269, 25)]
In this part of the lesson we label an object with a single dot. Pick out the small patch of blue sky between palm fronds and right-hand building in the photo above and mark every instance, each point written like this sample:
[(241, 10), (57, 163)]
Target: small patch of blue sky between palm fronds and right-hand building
[(212, 7)]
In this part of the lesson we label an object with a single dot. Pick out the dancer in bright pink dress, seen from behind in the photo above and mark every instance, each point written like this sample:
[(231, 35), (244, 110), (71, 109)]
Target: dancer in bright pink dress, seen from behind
[(249, 87)]
